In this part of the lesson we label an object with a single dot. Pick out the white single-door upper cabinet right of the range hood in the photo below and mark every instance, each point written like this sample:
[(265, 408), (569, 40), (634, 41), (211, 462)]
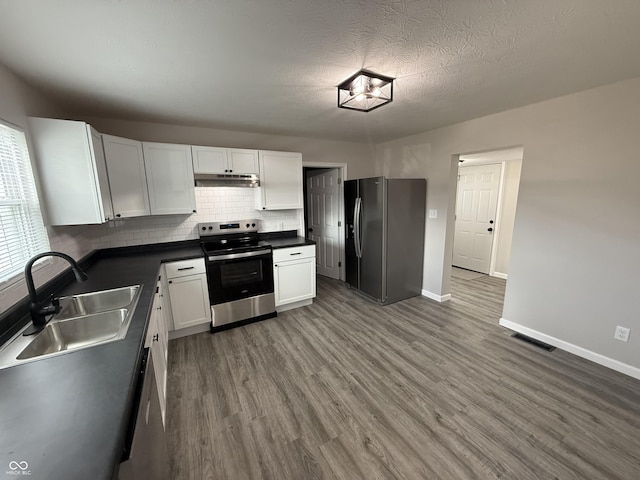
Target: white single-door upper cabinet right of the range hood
[(280, 181)]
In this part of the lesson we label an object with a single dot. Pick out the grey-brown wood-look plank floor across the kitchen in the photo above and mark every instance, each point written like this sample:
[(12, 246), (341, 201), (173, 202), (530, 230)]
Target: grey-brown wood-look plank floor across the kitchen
[(346, 389)]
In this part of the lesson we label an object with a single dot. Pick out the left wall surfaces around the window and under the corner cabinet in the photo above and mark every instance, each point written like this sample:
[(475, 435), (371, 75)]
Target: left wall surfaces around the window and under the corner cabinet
[(17, 101)]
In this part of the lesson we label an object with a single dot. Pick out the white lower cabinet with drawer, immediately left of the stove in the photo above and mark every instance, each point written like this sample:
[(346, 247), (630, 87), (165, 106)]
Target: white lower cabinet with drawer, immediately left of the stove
[(188, 293)]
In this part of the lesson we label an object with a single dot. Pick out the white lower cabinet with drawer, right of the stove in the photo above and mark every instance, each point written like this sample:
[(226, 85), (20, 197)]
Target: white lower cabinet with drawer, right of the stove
[(294, 276)]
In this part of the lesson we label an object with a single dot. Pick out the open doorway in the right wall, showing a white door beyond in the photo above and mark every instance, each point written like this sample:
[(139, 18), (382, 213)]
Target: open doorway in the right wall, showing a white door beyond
[(486, 198)]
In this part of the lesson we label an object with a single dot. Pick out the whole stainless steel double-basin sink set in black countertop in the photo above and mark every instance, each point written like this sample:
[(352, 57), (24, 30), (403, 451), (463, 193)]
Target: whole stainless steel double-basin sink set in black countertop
[(83, 321)]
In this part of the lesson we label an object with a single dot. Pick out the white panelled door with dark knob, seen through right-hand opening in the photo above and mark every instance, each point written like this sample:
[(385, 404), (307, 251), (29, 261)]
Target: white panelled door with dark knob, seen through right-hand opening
[(476, 203)]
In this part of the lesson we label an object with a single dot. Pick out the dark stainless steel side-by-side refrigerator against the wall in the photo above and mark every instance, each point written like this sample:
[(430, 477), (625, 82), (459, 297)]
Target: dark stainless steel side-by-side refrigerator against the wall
[(384, 247)]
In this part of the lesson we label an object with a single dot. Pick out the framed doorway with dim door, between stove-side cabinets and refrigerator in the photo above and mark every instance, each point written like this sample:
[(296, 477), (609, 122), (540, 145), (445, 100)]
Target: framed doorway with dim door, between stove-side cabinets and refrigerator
[(323, 217)]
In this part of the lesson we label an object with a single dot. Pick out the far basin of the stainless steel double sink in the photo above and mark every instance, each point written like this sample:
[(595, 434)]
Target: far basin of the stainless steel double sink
[(96, 302)]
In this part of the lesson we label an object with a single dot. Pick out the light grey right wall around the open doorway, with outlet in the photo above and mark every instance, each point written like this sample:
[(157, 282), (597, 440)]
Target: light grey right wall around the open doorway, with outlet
[(575, 258)]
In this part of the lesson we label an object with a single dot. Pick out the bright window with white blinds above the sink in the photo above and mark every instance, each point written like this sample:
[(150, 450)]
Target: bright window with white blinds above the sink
[(22, 232)]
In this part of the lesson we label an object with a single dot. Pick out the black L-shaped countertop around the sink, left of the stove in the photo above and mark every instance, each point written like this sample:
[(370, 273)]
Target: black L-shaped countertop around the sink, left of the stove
[(66, 416)]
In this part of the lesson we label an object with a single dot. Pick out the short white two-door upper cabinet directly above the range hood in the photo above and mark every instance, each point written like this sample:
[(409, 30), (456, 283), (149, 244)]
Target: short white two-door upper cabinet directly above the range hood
[(217, 160)]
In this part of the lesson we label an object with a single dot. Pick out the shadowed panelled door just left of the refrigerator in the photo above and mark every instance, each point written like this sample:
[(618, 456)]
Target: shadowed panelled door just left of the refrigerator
[(323, 214)]
